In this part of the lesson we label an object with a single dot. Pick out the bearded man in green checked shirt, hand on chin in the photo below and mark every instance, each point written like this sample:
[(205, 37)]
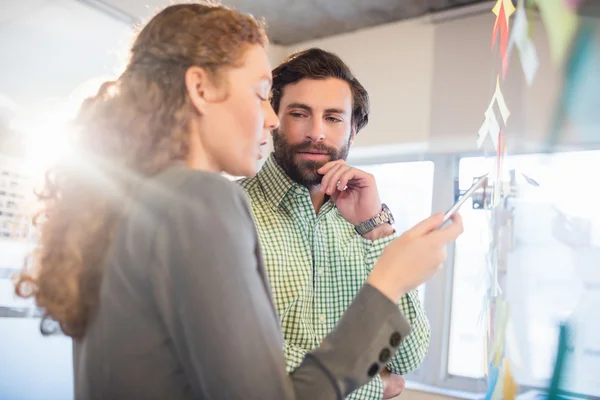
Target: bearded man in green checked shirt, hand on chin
[(321, 223)]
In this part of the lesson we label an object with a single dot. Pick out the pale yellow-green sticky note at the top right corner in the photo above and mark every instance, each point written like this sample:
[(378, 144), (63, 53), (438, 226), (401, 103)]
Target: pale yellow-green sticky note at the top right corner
[(561, 24)]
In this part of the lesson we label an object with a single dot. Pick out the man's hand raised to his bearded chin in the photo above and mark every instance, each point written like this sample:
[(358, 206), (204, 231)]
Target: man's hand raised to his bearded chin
[(353, 191)]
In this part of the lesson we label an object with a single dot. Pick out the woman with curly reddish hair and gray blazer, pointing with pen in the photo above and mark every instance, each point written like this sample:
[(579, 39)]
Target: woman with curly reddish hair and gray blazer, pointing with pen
[(149, 258)]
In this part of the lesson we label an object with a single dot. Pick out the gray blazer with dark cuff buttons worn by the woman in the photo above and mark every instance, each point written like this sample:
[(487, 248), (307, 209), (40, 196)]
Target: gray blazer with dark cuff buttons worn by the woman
[(186, 312)]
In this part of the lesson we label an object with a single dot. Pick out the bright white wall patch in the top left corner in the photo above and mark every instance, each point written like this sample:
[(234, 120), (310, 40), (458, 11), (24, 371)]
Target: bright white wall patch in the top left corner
[(43, 60)]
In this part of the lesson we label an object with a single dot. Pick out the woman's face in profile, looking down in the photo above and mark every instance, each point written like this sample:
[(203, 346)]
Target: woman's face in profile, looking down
[(236, 125)]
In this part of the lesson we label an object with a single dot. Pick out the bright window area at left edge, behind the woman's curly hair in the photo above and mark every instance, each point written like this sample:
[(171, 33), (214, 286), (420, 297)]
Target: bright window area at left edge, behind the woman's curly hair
[(25, 355)]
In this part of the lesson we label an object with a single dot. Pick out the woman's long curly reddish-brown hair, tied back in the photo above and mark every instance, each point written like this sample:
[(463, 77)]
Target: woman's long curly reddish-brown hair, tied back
[(134, 127)]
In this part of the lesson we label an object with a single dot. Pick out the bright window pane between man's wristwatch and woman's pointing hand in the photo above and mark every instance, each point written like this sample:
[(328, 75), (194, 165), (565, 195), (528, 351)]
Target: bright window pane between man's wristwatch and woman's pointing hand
[(407, 189)]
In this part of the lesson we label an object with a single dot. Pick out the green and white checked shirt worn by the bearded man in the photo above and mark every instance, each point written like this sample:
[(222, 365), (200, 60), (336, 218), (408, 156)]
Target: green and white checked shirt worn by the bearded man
[(316, 265)]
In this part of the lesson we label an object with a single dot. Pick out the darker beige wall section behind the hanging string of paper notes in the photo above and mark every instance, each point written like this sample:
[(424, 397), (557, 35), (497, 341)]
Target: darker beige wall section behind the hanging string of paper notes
[(464, 80)]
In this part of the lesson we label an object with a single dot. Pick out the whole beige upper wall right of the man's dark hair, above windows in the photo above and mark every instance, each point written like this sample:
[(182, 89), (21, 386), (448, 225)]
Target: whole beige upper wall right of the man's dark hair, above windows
[(430, 83)]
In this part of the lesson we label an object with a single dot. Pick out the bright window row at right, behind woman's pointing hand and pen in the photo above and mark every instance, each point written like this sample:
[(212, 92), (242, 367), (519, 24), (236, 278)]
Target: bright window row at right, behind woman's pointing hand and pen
[(552, 274)]
